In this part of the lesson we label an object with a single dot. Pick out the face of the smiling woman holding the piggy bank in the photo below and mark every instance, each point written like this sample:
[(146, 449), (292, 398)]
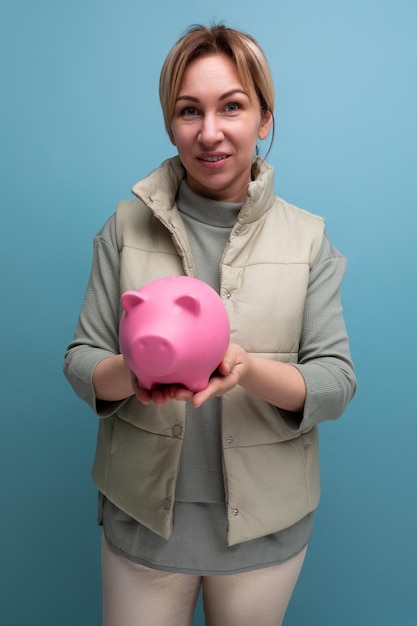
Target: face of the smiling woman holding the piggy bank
[(215, 129)]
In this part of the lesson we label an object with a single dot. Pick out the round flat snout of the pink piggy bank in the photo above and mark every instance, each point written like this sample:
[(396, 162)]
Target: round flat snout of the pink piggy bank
[(155, 355)]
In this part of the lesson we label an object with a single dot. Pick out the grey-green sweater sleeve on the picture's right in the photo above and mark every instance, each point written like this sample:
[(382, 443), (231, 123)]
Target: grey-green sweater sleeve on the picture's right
[(324, 358)]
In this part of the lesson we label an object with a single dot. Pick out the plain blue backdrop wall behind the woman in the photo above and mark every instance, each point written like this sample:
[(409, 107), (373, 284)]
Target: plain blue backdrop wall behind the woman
[(80, 123)]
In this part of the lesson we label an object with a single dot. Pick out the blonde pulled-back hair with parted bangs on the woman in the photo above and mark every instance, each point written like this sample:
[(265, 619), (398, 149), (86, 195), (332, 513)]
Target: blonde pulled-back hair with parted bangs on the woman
[(198, 41)]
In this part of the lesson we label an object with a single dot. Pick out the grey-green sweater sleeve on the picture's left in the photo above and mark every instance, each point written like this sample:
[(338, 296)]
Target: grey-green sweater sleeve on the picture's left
[(96, 334)]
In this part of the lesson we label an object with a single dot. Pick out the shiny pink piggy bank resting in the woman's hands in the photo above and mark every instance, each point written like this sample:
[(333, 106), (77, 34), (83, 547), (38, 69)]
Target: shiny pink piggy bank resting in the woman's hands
[(173, 330)]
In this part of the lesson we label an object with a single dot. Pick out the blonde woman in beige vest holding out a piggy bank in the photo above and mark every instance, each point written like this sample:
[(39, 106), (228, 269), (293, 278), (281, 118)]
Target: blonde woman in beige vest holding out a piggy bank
[(216, 489)]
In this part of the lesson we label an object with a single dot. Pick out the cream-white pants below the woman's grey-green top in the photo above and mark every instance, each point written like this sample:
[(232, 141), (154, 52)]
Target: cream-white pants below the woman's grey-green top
[(134, 595)]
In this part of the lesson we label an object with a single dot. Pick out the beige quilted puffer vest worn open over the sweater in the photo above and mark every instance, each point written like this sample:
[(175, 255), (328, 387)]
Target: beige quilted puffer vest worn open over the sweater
[(271, 472)]
